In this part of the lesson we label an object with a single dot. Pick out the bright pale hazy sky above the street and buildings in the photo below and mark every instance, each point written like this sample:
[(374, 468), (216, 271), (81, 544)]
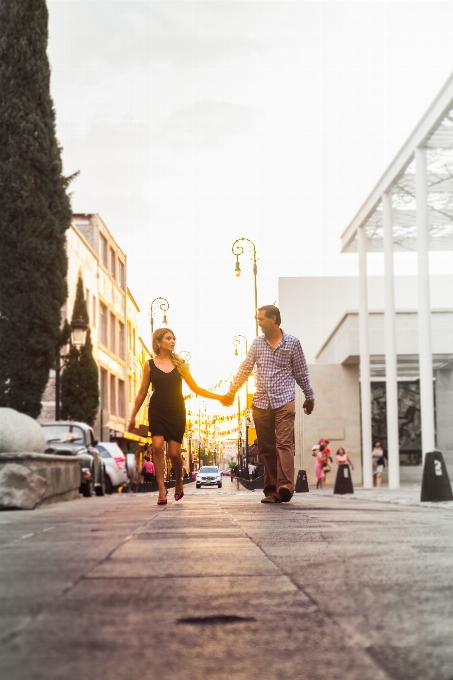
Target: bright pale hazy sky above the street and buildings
[(196, 123)]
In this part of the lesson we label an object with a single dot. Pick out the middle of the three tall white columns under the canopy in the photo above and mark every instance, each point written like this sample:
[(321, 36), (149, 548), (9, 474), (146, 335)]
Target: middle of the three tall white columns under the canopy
[(390, 348)]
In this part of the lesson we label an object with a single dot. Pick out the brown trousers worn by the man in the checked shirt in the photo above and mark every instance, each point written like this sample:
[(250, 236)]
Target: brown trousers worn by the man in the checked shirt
[(275, 430)]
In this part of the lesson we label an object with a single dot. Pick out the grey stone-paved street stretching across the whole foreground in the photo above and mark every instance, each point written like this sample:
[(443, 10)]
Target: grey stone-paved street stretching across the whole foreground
[(220, 586)]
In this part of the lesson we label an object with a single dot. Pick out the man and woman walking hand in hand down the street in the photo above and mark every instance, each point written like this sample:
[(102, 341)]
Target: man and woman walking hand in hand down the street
[(280, 363)]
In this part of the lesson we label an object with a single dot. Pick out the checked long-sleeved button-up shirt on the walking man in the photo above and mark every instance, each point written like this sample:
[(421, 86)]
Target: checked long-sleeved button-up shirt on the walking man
[(277, 371)]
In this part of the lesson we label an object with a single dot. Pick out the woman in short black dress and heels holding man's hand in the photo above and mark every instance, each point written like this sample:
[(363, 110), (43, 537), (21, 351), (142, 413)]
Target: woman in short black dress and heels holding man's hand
[(167, 412)]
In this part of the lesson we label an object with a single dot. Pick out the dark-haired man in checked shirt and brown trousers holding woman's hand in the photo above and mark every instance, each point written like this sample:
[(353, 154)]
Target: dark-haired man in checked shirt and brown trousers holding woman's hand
[(280, 363)]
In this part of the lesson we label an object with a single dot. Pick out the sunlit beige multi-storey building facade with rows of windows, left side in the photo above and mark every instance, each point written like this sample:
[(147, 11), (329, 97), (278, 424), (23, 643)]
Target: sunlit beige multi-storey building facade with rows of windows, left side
[(93, 252)]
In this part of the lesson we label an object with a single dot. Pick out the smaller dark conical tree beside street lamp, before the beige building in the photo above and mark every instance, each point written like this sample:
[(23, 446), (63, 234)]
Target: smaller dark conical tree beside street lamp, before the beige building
[(80, 379)]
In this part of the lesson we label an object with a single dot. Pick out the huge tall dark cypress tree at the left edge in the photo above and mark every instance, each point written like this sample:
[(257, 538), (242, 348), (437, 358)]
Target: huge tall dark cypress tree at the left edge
[(35, 209)]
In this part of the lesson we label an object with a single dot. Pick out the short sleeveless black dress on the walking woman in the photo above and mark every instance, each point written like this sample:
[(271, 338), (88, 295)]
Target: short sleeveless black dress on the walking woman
[(167, 411)]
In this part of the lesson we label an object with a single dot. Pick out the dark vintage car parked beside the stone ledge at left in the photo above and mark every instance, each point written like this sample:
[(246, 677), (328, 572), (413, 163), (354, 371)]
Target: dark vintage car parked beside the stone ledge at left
[(68, 438)]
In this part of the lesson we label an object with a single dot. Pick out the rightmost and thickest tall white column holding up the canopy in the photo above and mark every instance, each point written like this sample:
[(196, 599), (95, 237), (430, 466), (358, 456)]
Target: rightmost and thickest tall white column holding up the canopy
[(424, 306)]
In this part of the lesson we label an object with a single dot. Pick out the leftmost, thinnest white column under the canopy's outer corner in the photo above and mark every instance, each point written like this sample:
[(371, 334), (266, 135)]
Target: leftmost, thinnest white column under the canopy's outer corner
[(365, 387)]
